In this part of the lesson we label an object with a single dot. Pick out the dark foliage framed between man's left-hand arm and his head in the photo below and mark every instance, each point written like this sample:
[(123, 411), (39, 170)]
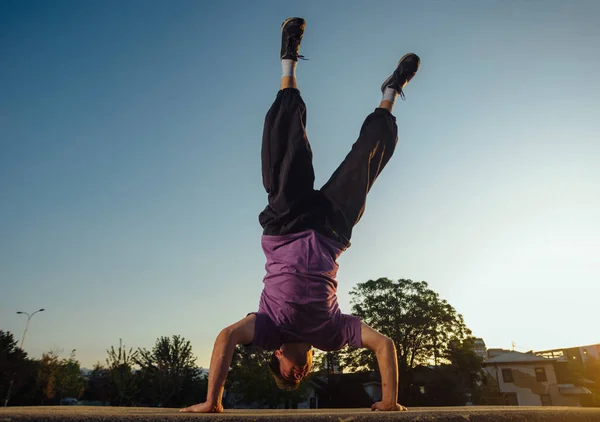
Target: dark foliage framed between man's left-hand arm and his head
[(250, 381)]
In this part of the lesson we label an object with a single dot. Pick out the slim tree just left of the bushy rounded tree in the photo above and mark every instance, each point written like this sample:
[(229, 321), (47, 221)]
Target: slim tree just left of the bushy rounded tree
[(120, 364)]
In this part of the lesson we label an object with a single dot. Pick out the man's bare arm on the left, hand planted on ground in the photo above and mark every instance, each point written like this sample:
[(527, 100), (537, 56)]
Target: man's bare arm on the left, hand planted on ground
[(242, 332)]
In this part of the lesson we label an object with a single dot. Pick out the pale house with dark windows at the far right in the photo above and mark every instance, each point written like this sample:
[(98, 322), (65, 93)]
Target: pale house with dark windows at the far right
[(527, 379)]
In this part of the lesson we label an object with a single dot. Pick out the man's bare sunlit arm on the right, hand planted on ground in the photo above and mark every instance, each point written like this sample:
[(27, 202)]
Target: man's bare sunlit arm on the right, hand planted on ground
[(385, 350)]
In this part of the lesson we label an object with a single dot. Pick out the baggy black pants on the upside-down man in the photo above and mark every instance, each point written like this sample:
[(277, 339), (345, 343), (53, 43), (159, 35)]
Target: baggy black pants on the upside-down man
[(288, 174)]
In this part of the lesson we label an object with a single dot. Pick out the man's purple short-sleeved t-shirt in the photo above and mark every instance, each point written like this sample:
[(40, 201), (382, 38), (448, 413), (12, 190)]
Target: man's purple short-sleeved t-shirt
[(298, 302)]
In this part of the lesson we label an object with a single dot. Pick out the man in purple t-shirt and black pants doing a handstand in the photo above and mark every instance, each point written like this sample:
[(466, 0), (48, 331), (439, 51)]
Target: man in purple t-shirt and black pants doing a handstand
[(305, 231)]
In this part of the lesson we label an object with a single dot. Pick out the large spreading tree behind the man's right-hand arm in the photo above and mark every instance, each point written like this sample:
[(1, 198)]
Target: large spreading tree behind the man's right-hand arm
[(414, 316)]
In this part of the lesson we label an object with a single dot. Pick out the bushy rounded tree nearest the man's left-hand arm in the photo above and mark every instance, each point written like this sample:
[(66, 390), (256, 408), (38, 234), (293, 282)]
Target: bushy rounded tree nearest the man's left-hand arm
[(165, 369)]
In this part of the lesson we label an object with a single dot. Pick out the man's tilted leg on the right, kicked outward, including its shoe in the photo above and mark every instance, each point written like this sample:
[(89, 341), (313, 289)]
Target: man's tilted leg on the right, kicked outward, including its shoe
[(349, 185)]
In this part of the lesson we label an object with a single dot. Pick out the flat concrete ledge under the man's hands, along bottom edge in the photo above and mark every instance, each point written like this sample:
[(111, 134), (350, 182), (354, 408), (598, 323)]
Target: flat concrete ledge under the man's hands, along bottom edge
[(450, 414)]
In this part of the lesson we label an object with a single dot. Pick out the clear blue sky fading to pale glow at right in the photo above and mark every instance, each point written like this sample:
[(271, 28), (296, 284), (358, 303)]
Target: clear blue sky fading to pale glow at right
[(130, 162)]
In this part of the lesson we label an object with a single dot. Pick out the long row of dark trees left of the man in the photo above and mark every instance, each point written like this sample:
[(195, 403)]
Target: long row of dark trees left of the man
[(167, 376)]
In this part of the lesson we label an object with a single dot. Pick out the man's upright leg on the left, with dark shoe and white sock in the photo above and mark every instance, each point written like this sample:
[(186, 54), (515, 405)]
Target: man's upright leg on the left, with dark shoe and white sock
[(287, 170)]
